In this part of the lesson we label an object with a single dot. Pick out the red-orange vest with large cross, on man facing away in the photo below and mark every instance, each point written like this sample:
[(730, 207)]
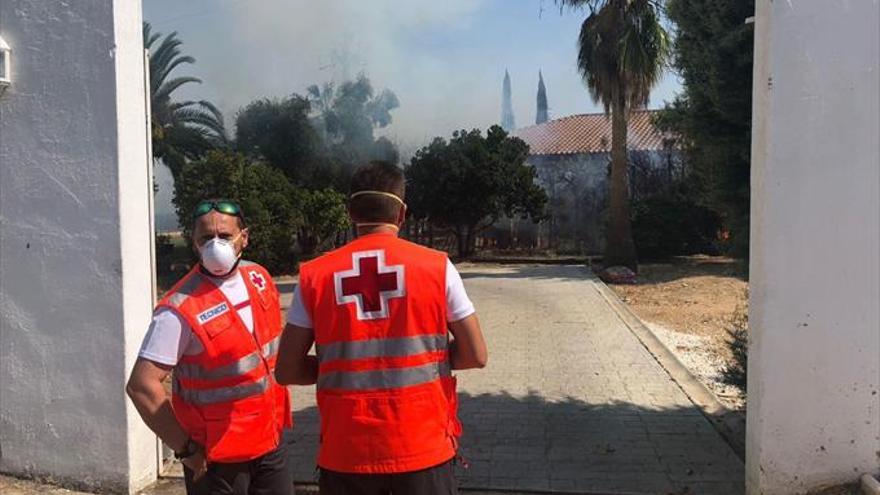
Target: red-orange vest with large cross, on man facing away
[(385, 392)]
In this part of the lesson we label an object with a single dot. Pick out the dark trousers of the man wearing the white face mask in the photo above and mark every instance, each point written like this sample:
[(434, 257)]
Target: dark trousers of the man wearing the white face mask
[(265, 475)]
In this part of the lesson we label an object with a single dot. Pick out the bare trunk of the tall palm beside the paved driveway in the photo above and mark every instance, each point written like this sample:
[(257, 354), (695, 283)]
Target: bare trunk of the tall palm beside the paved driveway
[(619, 247)]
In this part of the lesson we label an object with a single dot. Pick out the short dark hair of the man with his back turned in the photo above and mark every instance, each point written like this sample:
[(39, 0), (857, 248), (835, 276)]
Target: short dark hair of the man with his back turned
[(377, 176)]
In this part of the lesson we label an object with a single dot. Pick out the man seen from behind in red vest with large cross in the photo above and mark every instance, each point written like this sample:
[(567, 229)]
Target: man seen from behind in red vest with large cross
[(390, 320)]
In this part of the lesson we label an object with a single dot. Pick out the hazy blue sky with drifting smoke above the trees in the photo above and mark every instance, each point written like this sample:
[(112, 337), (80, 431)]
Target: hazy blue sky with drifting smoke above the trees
[(444, 59)]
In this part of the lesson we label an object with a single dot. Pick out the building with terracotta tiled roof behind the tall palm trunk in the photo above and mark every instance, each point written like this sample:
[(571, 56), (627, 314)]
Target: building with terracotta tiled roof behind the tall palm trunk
[(572, 156)]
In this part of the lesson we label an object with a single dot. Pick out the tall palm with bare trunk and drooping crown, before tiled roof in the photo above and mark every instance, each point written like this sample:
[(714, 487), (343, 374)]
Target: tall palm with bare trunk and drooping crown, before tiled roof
[(622, 52)]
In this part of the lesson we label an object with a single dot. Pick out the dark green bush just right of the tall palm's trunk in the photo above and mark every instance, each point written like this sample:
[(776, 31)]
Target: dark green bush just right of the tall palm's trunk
[(672, 224)]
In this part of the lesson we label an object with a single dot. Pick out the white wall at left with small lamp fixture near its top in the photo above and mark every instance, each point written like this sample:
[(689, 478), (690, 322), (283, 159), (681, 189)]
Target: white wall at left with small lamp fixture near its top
[(75, 280)]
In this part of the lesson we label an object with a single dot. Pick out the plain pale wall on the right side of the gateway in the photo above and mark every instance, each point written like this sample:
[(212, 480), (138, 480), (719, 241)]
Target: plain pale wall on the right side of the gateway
[(814, 362)]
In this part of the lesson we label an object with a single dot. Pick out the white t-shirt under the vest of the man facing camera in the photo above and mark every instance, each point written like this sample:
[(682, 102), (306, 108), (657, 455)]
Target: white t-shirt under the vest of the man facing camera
[(170, 336)]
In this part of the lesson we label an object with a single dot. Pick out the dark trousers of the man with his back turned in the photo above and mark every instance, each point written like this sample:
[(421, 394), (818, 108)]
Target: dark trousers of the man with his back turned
[(438, 480)]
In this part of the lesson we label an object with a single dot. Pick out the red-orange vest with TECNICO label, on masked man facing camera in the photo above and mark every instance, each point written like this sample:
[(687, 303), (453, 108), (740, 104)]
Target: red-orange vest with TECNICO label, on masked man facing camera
[(226, 397)]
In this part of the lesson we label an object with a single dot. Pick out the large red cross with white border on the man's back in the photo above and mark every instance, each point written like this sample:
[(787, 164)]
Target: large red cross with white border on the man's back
[(369, 284)]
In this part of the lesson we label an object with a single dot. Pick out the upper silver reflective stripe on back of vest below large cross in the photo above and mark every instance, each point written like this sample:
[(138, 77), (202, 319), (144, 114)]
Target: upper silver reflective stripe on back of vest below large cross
[(360, 349)]
